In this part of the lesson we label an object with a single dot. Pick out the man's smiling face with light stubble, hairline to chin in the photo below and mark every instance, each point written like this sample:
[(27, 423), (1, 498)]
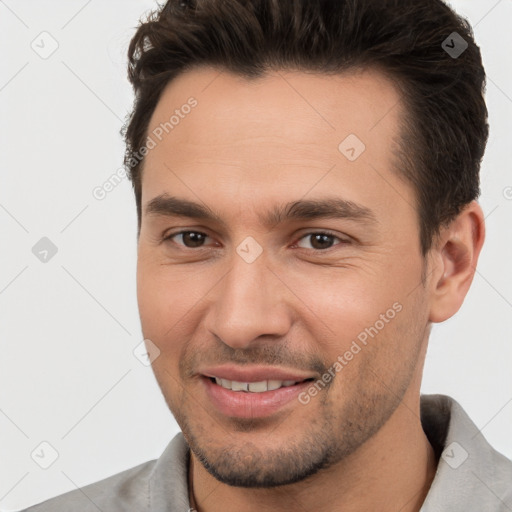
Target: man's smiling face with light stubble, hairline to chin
[(252, 298)]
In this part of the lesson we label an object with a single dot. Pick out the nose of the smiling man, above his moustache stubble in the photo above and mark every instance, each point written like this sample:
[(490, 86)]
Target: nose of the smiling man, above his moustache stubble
[(249, 303)]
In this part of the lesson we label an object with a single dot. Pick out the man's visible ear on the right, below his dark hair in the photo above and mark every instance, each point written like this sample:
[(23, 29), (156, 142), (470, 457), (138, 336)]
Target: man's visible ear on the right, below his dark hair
[(455, 257)]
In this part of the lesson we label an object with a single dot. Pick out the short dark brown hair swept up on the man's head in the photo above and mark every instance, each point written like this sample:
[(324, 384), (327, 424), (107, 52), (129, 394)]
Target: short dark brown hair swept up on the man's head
[(444, 131)]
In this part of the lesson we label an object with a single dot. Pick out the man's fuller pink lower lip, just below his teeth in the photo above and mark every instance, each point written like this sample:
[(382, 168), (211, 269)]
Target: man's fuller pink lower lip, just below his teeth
[(243, 404)]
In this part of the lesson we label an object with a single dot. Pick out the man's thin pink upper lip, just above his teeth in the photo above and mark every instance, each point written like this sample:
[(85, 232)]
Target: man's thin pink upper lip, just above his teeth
[(253, 373)]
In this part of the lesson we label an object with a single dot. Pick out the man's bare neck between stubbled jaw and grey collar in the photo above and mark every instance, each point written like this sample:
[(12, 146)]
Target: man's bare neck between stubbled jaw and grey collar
[(392, 471)]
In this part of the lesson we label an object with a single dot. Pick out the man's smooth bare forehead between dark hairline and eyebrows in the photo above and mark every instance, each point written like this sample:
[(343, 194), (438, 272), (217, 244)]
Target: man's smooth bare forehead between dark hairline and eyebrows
[(281, 132)]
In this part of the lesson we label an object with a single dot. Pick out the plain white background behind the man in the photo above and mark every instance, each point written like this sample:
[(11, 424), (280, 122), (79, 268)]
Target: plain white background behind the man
[(68, 327)]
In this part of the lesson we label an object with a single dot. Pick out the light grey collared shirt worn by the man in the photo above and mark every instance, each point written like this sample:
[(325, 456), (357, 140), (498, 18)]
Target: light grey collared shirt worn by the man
[(482, 483)]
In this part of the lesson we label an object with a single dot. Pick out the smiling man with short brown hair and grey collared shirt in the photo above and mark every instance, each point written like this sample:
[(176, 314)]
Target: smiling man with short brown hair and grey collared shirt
[(306, 176)]
